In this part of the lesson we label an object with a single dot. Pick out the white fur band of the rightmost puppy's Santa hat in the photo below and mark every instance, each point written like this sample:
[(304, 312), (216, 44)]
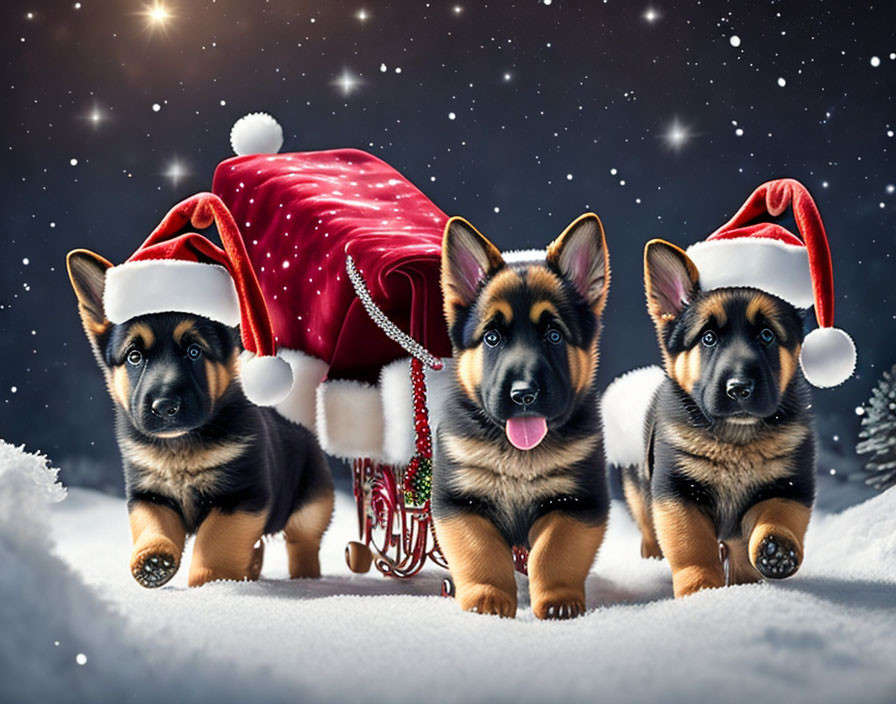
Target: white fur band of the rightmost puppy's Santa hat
[(758, 262)]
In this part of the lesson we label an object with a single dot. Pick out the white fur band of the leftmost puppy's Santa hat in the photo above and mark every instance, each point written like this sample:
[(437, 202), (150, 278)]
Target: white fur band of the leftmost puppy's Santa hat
[(170, 286)]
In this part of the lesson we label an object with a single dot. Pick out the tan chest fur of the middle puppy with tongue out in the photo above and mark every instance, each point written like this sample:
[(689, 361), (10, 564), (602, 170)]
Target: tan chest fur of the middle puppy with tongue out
[(510, 479)]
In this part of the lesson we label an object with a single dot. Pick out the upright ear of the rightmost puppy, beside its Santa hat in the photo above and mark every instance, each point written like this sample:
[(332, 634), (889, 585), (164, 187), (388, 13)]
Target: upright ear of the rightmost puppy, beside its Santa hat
[(671, 280)]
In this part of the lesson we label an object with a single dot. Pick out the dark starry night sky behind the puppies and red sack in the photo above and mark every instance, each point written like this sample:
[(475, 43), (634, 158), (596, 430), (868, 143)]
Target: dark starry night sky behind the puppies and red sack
[(661, 117)]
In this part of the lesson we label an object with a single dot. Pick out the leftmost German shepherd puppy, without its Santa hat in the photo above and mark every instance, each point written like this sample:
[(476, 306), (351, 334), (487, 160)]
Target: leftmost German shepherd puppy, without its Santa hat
[(198, 457)]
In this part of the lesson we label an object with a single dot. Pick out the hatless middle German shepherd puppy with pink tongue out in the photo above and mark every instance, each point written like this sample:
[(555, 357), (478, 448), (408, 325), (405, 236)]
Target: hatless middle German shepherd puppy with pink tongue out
[(518, 457)]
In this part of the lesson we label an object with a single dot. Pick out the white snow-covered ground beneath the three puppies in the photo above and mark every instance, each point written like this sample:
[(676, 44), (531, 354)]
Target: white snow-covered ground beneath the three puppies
[(828, 635)]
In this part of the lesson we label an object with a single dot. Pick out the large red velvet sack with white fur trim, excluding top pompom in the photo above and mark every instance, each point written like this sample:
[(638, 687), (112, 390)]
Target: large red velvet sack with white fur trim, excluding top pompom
[(302, 215)]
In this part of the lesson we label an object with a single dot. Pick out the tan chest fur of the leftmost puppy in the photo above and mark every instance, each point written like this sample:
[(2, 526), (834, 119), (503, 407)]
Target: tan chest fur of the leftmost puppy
[(179, 472)]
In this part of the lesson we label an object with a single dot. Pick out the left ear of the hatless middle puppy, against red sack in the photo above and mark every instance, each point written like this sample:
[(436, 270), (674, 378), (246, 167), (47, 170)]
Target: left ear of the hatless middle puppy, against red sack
[(468, 258)]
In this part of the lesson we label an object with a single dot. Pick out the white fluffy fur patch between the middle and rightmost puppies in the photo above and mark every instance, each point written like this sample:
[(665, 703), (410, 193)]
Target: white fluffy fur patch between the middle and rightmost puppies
[(624, 407)]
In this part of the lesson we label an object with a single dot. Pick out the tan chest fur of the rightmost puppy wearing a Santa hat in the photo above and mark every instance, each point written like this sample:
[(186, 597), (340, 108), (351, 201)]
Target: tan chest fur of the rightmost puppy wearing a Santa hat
[(733, 470)]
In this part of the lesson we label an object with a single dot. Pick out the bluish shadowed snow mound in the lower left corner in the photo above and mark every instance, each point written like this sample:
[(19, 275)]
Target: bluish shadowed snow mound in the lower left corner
[(58, 641)]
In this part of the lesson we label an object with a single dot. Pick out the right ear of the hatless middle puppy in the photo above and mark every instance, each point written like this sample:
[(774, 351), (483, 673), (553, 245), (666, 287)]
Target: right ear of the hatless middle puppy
[(580, 253)]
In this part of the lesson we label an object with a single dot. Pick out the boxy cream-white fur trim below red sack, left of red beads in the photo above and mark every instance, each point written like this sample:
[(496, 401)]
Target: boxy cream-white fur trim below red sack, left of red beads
[(350, 419)]
